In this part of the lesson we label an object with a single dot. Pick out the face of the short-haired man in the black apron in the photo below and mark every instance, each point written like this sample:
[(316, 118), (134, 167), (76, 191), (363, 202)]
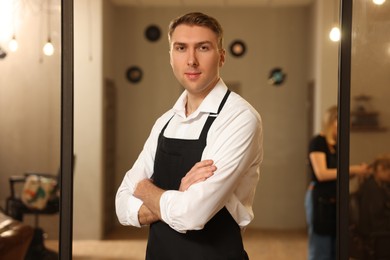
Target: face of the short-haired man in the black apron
[(195, 58)]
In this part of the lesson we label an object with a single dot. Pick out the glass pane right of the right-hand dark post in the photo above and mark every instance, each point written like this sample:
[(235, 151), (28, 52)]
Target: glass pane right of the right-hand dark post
[(369, 136)]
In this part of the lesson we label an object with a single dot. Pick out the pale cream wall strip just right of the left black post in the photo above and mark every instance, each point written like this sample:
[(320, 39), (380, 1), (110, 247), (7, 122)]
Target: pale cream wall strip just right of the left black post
[(88, 84)]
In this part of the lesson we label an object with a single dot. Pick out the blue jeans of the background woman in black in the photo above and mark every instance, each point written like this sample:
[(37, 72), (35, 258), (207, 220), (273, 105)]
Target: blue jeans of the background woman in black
[(320, 247)]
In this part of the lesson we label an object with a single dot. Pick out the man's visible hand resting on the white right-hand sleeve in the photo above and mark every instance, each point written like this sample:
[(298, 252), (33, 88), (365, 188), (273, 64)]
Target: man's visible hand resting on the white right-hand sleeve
[(199, 172)]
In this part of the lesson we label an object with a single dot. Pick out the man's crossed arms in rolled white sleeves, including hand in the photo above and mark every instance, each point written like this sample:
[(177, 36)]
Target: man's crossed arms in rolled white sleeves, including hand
[(237, 155)]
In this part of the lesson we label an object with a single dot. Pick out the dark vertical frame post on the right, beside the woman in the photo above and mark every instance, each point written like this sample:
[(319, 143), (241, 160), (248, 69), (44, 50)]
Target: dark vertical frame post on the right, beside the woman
[(344, 93)]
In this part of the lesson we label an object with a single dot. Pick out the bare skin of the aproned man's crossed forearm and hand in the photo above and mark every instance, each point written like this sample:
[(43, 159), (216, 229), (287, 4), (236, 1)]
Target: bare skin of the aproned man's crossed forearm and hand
[(150, 194)]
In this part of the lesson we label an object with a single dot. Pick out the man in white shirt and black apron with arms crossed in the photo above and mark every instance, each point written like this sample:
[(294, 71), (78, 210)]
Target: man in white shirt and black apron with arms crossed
[(195, 179)]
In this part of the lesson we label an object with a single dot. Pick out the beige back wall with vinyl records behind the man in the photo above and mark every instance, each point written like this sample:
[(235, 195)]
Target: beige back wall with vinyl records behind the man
[(274, 38)]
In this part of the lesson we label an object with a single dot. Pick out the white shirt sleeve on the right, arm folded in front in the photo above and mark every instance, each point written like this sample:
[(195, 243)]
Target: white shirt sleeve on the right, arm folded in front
[(235, 144)]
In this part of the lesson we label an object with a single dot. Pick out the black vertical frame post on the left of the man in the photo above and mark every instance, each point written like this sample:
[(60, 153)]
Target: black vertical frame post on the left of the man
[(67, 94)]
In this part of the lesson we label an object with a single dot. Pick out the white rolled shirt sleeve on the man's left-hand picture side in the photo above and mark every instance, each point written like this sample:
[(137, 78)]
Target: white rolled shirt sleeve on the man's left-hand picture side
[(126, 205)]
